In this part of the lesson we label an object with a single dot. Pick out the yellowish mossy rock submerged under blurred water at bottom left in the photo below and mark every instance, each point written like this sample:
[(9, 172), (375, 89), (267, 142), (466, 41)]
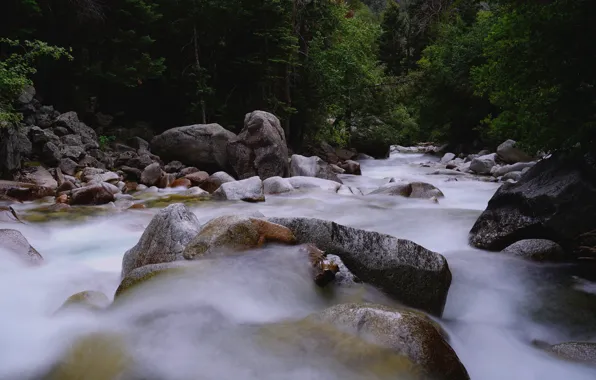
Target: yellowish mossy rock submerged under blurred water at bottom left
[(97, 356)]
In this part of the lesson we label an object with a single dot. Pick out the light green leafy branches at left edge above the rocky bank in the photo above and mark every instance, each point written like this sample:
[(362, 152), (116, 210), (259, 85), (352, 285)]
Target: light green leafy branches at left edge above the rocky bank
[(16, 69)]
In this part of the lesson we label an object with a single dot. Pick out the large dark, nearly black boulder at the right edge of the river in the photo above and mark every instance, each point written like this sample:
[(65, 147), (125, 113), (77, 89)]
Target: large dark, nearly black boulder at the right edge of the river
[(554, 200)]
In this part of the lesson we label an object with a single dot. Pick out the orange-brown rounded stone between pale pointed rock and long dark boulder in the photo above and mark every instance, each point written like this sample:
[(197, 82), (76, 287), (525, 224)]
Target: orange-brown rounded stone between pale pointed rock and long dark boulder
[(231, 233)]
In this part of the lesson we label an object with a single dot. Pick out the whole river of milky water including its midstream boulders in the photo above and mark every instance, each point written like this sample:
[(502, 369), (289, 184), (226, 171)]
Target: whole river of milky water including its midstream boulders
[(212, 286)]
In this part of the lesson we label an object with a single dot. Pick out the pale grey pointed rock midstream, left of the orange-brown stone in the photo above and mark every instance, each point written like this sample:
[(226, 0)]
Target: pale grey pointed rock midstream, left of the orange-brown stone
[(164, 238)]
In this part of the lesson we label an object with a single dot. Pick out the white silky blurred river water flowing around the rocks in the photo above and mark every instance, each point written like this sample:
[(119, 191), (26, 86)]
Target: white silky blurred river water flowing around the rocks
[(203, 327)]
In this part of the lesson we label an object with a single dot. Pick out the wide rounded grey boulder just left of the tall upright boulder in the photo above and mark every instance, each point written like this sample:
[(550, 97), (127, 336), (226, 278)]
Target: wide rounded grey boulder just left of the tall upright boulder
[(200, 145)]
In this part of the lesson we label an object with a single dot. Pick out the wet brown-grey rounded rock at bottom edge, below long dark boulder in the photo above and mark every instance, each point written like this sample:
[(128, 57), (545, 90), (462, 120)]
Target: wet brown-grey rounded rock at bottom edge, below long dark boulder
[(405, 332)]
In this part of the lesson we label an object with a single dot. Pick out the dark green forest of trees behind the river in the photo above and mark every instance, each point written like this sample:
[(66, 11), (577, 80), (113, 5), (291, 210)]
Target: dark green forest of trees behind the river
[(361, 74)]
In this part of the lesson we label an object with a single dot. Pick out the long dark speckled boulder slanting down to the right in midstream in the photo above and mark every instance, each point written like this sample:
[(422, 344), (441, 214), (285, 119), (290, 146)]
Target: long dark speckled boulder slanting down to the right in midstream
[(403, 269)]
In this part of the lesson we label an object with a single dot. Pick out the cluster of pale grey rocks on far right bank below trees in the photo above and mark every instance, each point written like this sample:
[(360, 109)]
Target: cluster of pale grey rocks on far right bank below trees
[(507, 164)]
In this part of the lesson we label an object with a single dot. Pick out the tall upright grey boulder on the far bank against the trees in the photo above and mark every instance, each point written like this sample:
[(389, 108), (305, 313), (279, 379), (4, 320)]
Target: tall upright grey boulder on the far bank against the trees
[(260, 149)]
